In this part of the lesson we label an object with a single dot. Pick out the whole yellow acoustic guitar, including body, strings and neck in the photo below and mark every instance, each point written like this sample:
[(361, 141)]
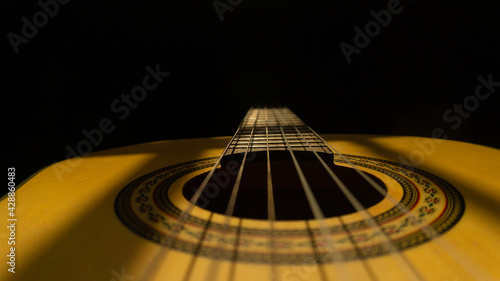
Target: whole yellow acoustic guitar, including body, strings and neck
[(276, 201)]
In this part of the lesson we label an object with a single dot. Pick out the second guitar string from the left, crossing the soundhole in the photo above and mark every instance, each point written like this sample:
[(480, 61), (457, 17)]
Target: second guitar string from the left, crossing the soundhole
[(215, 263)]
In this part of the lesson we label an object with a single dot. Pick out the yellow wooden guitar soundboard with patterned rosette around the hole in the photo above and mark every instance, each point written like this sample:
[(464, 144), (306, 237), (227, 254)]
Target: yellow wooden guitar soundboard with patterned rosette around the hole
[(105, 216)]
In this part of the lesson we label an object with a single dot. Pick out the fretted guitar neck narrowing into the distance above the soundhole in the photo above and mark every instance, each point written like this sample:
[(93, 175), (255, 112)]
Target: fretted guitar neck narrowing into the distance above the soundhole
[(276, 129)]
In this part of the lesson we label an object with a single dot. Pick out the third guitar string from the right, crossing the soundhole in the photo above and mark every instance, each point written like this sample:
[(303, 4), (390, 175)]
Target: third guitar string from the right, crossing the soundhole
[(331, 247)]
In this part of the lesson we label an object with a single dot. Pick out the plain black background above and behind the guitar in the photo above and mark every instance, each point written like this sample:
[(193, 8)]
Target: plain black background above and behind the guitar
[(269, 52)]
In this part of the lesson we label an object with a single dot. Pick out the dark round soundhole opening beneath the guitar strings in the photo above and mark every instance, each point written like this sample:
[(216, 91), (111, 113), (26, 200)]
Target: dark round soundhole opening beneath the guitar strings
[(289, 197)]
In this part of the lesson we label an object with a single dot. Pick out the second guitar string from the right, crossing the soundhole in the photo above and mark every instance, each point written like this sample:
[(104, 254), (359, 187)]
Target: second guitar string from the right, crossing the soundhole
[(400, 258)]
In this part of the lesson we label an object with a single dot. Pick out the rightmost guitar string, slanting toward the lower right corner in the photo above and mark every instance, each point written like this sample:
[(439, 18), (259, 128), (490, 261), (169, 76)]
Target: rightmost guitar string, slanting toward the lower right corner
[(471, 267)]
